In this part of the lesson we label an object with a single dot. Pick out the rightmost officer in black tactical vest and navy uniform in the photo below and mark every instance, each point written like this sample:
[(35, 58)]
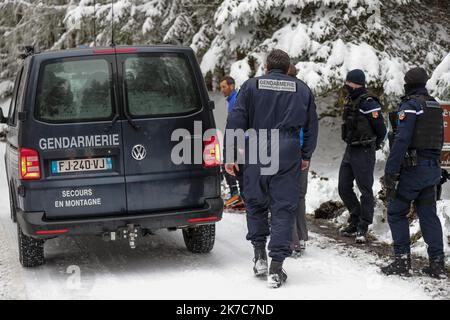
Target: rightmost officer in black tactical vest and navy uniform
[(412, 173)]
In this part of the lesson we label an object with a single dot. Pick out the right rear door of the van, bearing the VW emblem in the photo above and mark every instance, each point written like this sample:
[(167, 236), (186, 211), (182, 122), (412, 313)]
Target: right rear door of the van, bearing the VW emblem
[(162, 92)]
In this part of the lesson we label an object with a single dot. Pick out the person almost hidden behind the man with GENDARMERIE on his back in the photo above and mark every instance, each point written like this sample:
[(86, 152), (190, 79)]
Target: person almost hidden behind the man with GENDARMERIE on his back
[(300, 230)]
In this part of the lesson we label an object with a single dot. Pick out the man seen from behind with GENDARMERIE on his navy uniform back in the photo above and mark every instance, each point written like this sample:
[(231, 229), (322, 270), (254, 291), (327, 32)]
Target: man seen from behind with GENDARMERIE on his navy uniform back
[(274, 101)]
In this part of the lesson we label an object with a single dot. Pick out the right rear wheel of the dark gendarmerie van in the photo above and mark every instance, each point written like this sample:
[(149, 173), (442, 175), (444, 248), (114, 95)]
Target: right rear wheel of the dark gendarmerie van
[(200, 239)]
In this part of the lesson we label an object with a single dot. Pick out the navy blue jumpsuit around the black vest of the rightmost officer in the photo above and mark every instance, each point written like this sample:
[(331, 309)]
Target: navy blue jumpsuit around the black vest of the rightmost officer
[(417, 183)]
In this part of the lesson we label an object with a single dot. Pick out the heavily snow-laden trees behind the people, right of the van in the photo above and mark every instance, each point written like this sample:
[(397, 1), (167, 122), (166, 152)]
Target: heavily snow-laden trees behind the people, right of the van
[(327, 38)]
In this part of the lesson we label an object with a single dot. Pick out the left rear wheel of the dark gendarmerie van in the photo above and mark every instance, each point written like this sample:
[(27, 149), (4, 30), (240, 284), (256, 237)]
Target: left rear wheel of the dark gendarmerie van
[(31, 251)]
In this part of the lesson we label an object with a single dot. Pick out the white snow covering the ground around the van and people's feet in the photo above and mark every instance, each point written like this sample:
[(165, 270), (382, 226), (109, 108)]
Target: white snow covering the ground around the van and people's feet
[(162, 268)]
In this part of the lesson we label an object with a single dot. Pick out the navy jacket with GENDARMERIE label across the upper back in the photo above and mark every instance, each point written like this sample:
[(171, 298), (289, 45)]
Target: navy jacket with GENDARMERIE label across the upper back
[(277, 101)]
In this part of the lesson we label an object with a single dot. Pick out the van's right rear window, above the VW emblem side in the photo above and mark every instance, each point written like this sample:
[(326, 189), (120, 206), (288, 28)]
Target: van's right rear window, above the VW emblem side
[(160, 85)]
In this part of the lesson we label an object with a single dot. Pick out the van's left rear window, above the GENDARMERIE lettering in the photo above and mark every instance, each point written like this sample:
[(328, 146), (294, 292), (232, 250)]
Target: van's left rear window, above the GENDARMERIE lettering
[(73, 91)]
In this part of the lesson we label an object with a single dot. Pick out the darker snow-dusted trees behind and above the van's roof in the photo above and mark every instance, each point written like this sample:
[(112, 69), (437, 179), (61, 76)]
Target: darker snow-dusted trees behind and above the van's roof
[(62, 24)]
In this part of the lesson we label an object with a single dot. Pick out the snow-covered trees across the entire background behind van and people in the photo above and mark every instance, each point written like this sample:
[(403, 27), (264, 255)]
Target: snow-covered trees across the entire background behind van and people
[(325, 38)]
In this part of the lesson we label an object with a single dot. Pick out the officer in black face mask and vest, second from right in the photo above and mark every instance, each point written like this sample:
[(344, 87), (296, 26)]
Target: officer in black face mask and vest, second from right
[(364, 131)]
